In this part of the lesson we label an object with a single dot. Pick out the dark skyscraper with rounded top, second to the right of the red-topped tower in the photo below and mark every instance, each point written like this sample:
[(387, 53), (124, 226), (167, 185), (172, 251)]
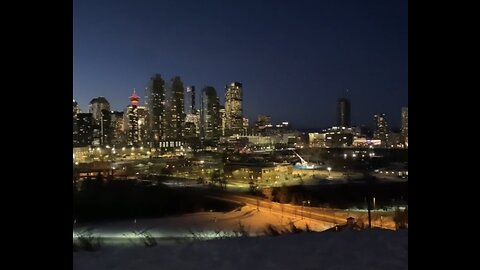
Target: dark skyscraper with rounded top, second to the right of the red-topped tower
[(175, 113)]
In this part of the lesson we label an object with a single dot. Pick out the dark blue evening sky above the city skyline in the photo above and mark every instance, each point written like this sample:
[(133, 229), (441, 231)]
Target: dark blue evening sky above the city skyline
[(294, 58)]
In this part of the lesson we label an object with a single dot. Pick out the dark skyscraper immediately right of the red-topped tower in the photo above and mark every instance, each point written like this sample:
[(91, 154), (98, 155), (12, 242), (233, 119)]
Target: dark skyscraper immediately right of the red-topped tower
[(156, 106)]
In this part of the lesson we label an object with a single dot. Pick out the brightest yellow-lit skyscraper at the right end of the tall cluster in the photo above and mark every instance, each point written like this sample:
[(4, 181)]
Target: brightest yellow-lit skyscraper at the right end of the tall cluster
[(233, 109)]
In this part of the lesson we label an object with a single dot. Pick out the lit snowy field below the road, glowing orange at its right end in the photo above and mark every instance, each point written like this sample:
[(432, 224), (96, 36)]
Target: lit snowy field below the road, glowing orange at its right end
[(204, 223)]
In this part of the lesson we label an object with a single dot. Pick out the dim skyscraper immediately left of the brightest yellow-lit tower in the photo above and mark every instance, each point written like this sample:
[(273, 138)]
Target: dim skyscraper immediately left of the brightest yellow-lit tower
[(209, 114)]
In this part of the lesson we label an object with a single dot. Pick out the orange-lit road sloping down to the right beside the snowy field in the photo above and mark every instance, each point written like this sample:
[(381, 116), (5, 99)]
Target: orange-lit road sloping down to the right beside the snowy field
[(330, 215)]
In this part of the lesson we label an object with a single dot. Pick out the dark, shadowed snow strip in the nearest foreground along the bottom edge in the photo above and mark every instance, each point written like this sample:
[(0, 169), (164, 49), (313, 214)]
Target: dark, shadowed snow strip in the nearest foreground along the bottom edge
[(368, 249)]
